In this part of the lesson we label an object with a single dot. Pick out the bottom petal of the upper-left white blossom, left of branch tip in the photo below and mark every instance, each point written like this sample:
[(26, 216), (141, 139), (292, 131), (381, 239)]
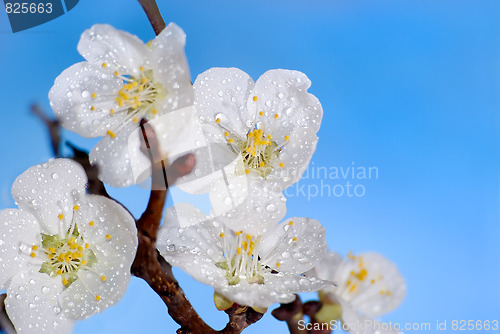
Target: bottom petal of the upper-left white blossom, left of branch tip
[(114, 155)]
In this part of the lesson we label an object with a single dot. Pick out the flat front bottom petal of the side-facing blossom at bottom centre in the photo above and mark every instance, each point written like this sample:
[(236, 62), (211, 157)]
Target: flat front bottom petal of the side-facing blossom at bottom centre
[(277, 288)]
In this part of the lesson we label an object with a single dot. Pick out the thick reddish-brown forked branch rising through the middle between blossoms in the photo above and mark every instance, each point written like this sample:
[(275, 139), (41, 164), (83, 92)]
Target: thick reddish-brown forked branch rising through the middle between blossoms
[(153, 268)]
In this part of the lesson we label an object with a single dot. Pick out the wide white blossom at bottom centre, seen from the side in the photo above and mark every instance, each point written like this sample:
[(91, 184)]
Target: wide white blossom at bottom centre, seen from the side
[(252, 270)]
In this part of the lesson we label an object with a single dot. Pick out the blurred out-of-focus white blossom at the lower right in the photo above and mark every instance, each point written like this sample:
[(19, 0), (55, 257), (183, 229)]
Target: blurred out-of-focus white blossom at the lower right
[(367, 286)]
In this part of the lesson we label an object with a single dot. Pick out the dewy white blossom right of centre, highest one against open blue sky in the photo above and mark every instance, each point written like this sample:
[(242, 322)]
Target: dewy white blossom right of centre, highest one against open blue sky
[(271, 124)]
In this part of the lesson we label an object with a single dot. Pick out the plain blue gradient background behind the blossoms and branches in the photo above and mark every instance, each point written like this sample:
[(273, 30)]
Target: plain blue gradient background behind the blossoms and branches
[(410, 87)]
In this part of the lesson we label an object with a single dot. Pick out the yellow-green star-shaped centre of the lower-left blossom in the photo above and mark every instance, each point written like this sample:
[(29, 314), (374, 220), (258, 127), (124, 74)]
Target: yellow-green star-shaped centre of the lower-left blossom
[(66, 256)]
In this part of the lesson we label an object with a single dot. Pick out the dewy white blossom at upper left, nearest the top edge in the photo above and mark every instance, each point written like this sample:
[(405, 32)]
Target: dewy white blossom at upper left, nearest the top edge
[(122, 82)]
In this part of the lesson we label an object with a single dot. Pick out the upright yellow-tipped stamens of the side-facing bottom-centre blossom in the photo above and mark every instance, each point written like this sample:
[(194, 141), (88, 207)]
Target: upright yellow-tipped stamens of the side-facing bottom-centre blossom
[(241, 260)]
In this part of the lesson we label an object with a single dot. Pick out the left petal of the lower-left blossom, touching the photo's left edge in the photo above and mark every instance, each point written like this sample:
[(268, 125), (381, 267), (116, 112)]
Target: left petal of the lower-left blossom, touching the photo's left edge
[(19, 231)]
